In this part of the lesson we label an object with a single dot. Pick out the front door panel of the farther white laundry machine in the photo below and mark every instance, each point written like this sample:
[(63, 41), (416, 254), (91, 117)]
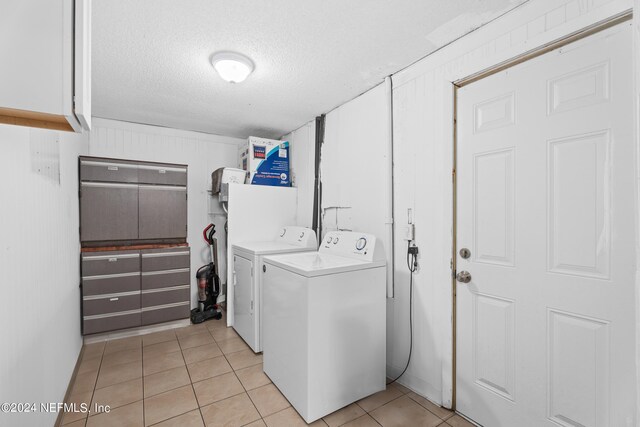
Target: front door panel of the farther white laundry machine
[(243, 298)]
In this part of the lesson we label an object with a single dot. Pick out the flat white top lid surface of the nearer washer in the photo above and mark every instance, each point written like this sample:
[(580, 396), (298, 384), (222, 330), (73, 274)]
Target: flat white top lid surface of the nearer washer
[(311, 264)]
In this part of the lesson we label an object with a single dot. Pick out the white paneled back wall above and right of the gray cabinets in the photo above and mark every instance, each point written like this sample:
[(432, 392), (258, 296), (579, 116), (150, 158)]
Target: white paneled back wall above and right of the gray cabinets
[(203, 153)]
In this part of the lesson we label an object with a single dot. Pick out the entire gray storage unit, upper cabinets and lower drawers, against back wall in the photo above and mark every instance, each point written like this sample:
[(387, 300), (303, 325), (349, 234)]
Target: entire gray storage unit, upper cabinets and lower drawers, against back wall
[(127, 203)]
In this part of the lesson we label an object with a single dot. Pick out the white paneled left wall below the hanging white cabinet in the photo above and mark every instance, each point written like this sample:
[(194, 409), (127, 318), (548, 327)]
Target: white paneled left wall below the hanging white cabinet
[(39, 245)]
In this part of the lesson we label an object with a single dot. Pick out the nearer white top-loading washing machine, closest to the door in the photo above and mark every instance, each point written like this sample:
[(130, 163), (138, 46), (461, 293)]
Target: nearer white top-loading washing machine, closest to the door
[(324, 323)]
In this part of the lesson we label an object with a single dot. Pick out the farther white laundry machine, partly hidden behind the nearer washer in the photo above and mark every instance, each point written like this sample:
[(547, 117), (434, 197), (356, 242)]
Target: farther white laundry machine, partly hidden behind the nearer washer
[(247, 260)]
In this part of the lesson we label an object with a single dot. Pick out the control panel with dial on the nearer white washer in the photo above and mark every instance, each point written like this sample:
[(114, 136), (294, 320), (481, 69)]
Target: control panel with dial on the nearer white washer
[(352, 244)]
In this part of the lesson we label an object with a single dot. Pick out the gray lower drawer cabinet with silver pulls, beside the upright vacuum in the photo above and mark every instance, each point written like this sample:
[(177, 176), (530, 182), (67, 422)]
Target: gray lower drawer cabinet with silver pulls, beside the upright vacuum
[(125, 289)]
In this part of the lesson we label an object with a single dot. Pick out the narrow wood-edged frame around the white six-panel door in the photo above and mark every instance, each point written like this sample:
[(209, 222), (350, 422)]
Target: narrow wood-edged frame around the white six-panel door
[(476, 76)]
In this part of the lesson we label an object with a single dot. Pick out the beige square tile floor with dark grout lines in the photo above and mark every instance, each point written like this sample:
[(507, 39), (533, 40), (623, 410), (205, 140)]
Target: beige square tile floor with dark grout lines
[(206, 375)]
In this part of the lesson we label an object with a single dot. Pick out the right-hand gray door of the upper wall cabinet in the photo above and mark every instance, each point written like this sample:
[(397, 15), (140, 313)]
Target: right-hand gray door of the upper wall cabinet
[(163, 212)]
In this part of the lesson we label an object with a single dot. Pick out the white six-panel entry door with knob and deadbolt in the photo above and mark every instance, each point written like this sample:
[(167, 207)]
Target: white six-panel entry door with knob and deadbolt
[(545, 206)]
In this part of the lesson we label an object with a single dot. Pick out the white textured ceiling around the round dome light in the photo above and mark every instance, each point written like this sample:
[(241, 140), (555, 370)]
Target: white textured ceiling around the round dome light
[(151, 57)]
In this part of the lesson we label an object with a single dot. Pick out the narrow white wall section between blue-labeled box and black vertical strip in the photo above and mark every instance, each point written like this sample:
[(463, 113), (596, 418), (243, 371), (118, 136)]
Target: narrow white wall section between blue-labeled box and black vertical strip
[(302, 169)]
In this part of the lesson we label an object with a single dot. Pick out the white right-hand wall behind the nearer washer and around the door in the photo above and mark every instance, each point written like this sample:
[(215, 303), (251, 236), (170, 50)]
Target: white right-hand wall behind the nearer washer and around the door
[(423, 155)]
